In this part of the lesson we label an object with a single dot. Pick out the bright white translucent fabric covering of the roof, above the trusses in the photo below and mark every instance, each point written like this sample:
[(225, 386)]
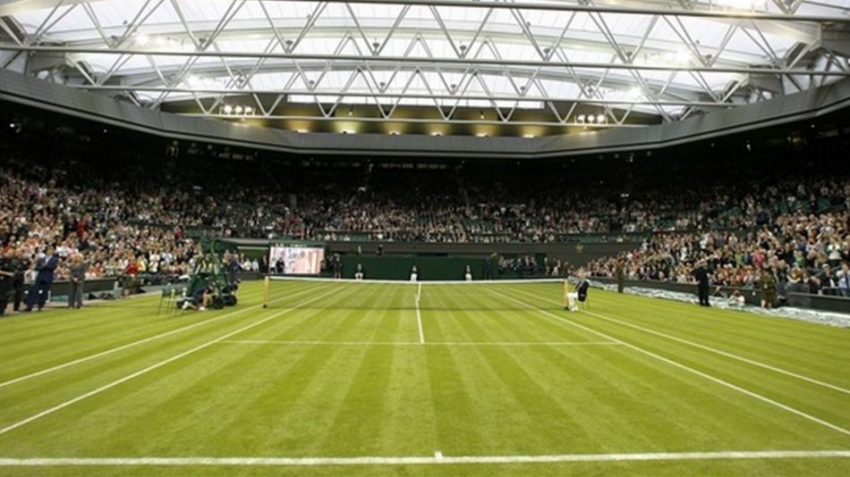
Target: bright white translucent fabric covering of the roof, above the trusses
[(500, 38)]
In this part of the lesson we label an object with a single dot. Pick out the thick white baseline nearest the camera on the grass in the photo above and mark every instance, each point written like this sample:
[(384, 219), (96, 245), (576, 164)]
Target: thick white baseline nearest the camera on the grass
[(437, 459)]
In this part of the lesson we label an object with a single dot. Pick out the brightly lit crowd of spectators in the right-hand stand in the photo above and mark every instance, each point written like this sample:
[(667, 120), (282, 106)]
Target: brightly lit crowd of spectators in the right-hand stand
[(802, 241)]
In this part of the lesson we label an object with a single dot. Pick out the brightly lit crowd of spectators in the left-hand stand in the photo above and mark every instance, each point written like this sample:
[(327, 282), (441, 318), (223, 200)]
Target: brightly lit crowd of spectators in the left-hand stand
[(92, 223)]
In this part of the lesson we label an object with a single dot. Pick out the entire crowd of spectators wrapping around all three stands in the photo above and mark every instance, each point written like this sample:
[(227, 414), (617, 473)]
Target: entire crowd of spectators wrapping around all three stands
[(140, 223)]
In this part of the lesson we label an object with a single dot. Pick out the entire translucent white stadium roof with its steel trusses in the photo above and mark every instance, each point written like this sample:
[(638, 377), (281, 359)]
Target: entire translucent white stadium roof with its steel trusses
[(598, 63)]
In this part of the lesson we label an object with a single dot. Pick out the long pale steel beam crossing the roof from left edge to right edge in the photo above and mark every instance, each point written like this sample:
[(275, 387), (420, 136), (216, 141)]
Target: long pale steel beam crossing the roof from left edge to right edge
[(420, 60)]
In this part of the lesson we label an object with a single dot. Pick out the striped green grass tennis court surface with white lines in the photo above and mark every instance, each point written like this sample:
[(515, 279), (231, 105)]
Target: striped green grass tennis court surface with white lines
[(346, 378)]
